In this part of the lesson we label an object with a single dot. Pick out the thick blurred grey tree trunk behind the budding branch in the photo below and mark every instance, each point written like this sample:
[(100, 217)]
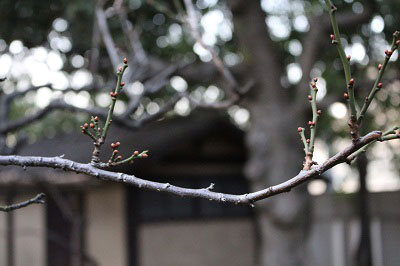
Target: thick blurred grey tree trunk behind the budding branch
[(273, 143)]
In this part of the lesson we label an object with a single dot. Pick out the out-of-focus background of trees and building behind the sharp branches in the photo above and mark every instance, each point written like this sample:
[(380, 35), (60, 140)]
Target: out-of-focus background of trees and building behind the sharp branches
[(233, 125)]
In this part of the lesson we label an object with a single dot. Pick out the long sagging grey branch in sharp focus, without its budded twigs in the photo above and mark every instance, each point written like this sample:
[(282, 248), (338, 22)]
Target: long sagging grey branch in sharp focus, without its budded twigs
[(206, 193)]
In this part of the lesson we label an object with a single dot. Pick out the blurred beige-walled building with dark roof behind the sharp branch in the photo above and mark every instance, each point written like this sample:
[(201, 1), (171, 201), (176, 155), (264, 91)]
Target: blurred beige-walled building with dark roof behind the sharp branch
[(90, 222)]
